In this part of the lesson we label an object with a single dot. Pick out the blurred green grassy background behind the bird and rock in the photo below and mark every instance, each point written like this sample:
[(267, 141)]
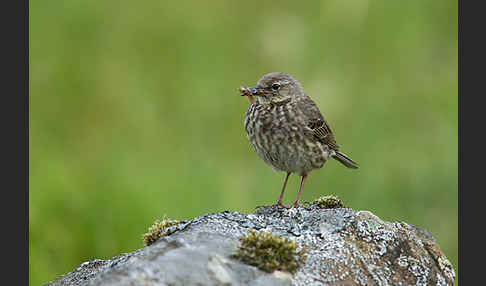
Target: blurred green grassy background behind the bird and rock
[(135, 114)]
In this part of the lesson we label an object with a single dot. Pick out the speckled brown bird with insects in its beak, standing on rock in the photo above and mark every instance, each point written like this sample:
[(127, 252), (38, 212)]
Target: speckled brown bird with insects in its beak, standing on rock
[(288, 131)]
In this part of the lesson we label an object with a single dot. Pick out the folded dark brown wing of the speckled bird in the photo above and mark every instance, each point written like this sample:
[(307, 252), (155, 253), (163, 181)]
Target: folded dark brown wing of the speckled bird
[(317, 124)]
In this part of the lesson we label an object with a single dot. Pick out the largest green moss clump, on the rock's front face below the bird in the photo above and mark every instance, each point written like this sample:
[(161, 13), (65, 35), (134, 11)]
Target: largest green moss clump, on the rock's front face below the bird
[(270, 253)]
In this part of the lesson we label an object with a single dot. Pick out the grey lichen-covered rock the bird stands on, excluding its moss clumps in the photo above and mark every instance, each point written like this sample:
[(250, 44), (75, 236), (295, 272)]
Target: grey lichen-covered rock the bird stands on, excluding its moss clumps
[(346, 247)]
